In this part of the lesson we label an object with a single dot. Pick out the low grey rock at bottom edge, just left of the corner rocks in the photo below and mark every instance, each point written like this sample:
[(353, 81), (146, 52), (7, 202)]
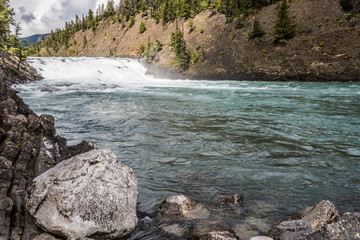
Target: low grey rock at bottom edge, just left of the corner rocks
[(293, 229)]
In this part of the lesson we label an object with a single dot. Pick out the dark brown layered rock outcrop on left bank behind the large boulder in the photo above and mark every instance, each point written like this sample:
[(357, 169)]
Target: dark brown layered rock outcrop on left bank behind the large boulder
[(28, 147)]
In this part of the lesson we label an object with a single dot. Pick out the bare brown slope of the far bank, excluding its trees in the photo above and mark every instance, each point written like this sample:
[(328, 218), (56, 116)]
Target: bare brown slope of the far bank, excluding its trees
[(326, 45)]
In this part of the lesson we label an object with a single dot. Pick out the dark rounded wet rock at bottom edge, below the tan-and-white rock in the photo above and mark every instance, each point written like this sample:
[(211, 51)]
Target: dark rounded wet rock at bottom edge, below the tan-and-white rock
[(213, 232)]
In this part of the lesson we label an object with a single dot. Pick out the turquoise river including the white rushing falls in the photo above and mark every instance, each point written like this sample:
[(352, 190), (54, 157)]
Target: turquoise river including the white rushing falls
[(282, 145)]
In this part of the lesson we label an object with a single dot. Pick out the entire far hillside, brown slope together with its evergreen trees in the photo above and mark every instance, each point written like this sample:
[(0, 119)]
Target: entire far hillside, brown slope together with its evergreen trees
[(221, 39)]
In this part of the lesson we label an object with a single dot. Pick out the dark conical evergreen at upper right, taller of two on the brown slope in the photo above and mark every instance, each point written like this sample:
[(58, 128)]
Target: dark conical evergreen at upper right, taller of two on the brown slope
[(284, 26)]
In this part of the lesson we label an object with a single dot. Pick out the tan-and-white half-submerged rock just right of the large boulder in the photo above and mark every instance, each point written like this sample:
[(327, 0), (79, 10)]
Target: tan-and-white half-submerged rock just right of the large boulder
[(183, 207)]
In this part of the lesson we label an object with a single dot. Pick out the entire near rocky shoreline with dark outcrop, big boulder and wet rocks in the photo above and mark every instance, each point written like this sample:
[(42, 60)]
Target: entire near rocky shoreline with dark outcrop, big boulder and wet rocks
[(49, 190)]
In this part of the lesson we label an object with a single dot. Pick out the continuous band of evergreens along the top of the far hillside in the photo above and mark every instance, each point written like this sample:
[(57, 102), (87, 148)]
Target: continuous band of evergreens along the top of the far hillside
[(162, 11)]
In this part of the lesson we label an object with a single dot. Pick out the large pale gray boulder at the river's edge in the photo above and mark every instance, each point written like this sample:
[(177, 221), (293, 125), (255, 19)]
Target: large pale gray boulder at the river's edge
[(89, 195)]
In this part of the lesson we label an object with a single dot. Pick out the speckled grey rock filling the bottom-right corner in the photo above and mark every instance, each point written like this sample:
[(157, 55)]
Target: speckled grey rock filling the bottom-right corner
[(347, 227)]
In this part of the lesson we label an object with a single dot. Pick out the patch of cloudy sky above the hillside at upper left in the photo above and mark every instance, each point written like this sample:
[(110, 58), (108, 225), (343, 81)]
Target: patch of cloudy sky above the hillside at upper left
[(41, 16)]
